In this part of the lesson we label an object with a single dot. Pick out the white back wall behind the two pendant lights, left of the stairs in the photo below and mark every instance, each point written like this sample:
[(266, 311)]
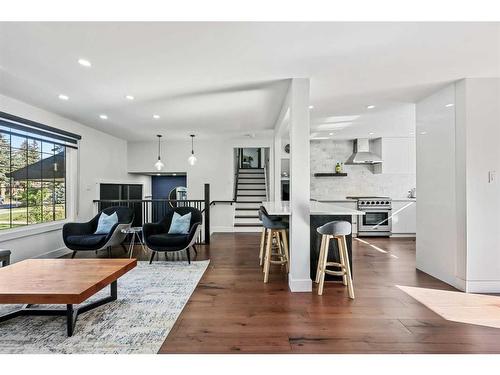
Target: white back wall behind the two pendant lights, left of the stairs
[(215, 166)]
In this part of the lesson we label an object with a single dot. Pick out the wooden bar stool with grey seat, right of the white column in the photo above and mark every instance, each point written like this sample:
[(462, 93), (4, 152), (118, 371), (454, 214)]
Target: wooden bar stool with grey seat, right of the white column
[(336, 230)]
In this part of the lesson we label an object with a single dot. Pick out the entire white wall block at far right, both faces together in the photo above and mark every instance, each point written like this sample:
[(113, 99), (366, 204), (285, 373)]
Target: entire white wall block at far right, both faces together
[(458, 208)]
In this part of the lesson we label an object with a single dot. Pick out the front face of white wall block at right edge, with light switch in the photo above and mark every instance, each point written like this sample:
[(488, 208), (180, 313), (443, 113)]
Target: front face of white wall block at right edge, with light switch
[(482, 137)]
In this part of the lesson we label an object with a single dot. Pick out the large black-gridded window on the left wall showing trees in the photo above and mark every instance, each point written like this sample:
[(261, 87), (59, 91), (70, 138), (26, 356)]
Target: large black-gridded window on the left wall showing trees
[(32, 178)]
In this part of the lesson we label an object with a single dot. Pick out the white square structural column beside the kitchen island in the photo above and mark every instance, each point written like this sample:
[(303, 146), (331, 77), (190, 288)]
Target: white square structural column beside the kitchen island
[(299, 279)]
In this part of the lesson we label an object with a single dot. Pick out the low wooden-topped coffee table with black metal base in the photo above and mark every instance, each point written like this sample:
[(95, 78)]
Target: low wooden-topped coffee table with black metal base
[(59, 281)]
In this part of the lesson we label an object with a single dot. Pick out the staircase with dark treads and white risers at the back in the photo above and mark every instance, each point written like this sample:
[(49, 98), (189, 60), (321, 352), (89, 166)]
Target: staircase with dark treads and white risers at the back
[(251, 191)]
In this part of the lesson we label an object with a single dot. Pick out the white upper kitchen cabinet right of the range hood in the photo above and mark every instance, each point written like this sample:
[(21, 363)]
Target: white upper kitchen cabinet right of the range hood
[(398, 156)]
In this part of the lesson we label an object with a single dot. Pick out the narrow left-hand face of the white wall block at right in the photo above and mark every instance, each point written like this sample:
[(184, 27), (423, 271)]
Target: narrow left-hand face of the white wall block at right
[(437, 234)]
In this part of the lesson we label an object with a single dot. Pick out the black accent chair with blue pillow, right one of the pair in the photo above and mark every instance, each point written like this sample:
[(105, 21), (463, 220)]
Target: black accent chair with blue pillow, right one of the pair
[(157, 238)]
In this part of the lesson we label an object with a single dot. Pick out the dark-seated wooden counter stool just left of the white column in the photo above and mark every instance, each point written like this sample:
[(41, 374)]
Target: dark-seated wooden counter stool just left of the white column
[(274, 228)]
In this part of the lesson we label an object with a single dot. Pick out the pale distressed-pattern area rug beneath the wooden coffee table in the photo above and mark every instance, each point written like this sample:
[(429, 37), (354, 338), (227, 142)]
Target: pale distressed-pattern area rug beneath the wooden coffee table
[(150, 299)]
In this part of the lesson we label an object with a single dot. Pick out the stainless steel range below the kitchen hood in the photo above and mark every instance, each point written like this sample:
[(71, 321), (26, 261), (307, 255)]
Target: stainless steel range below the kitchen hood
[(377, 219)]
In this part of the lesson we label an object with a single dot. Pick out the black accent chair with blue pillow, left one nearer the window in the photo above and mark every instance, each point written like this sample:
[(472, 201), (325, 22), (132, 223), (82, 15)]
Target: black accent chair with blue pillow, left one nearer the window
[(81, 237)]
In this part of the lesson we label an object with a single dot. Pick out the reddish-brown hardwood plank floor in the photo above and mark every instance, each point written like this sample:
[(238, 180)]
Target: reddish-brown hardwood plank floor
[(233, 311)]
